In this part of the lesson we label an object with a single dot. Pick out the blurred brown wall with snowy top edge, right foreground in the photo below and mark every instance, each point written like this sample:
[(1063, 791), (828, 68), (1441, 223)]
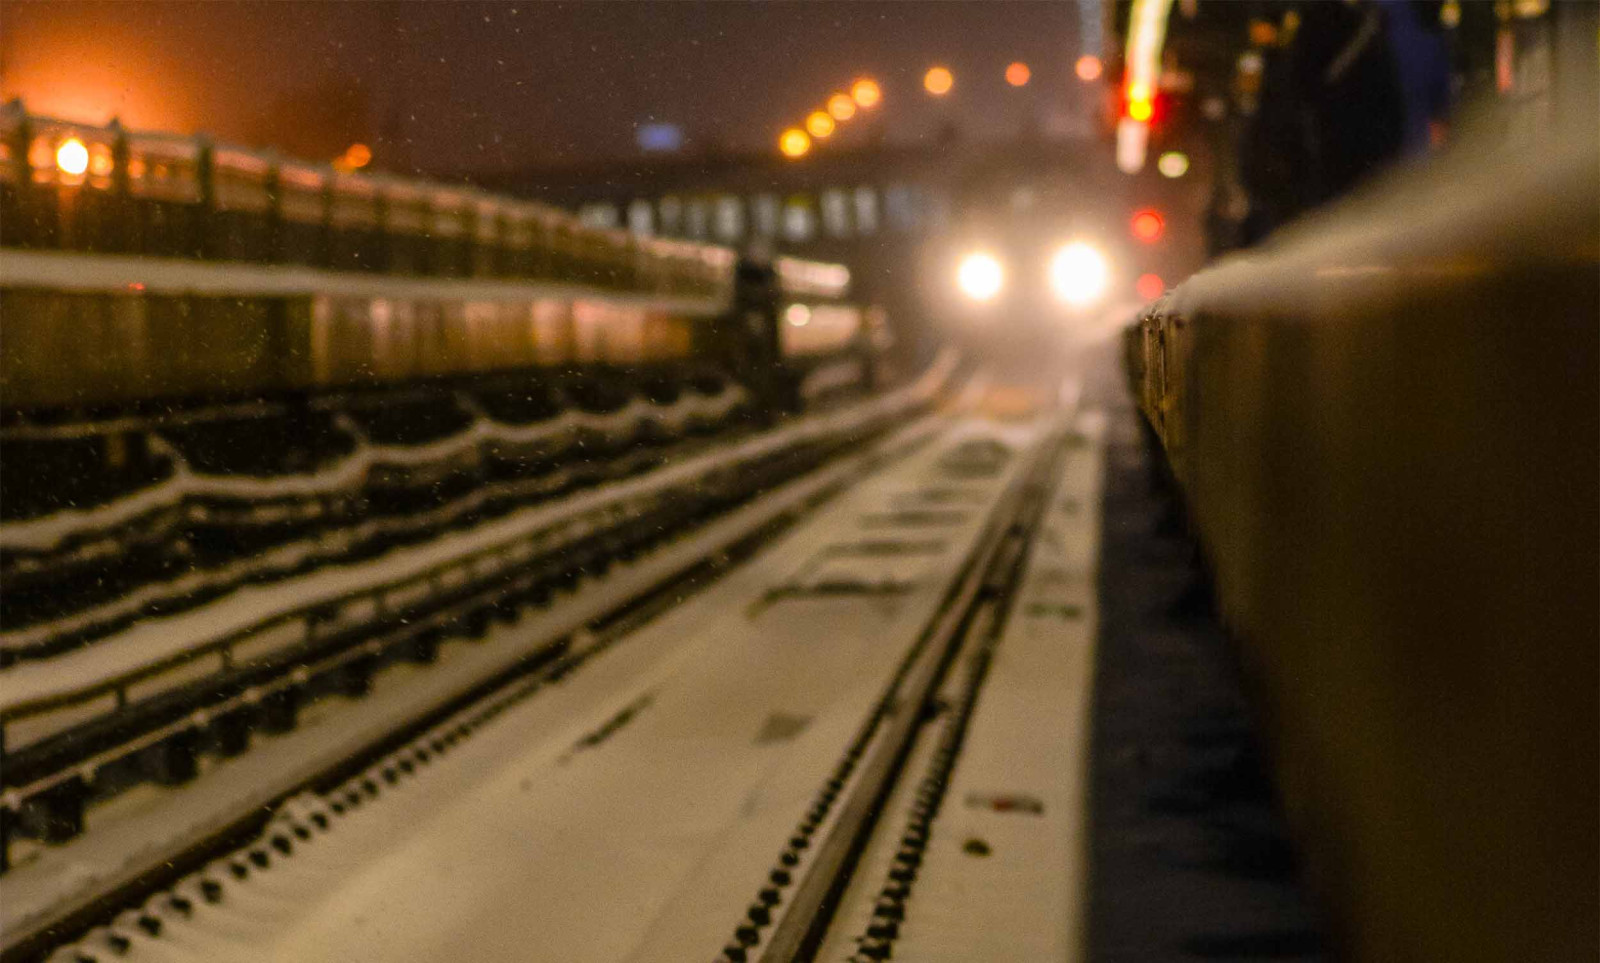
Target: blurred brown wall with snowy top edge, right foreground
[(1388, 430)]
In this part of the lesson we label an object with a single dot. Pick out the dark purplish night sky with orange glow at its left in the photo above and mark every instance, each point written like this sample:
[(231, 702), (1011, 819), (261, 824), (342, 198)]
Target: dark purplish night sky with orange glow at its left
[(478, 87)]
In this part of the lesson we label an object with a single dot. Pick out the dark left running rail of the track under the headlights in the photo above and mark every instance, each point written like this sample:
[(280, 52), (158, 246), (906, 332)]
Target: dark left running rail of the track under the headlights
[(588, 626)]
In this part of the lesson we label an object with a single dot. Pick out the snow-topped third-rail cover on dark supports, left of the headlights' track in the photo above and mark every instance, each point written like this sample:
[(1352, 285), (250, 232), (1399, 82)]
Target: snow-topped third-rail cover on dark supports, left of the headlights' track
[(153, 687)]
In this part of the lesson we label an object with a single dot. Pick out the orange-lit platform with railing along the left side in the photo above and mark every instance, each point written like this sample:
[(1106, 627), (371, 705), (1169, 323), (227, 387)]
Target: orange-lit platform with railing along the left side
[(204, 273)]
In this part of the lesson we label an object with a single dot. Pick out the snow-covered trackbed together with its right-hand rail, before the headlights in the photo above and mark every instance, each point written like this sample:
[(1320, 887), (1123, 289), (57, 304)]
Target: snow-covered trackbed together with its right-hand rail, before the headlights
[(631, 812)]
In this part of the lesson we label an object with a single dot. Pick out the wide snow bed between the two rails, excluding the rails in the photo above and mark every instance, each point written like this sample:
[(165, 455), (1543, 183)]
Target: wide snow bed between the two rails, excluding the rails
[(530, 842)]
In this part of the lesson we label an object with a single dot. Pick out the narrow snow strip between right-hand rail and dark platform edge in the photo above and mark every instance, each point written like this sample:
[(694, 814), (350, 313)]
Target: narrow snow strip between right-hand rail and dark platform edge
[(1028, 746)]
